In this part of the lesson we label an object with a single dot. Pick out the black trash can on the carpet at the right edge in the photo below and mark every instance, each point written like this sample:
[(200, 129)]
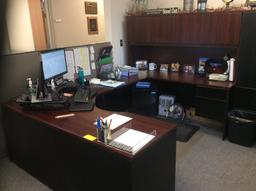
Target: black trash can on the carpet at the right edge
[(242, 127)]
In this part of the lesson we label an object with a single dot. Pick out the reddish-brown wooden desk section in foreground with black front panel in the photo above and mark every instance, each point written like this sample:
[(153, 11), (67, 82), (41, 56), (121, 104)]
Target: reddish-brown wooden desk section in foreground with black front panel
[(54, 151)]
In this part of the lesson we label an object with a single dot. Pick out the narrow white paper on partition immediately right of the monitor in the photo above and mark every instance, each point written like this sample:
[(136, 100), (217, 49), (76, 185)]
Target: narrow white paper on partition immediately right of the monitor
[(70, 65)]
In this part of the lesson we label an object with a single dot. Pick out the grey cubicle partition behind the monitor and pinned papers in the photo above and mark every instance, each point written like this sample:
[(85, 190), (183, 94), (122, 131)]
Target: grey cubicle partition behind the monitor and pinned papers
[(15, 69)]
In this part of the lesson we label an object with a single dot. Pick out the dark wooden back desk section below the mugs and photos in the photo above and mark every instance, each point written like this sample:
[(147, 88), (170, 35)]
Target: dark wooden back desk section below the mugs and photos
[(211, 99)]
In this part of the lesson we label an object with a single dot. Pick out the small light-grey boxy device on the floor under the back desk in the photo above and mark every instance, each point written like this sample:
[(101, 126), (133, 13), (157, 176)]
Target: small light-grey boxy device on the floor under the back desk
[(165, 101)]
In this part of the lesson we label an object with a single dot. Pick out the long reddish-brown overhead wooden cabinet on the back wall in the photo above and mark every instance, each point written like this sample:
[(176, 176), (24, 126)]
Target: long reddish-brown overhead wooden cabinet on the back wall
[(217, 28)]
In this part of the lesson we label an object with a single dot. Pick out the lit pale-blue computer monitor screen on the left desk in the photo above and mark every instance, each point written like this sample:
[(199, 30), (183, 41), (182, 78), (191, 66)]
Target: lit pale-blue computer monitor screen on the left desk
[(53, 63)]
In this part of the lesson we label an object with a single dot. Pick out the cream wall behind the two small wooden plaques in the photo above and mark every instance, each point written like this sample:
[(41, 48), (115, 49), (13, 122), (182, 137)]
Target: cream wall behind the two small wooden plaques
[(72, 30)]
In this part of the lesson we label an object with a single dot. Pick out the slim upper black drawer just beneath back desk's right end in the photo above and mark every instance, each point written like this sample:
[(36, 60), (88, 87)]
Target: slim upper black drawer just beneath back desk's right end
[(213, 93)]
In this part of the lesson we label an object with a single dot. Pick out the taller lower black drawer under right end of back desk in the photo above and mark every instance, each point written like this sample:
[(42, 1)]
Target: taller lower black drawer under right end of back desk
[(211, 108)]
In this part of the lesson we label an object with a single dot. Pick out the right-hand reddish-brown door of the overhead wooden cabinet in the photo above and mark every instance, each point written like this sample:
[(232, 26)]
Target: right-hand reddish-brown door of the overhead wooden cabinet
[(221, 28)]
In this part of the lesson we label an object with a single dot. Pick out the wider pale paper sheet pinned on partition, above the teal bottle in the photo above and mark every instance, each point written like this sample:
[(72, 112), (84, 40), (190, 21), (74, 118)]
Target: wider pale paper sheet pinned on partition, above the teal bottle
[(82, 59)]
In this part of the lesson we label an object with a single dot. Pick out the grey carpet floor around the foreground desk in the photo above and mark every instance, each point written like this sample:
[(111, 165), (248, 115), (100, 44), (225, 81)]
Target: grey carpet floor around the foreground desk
[(204, 163)]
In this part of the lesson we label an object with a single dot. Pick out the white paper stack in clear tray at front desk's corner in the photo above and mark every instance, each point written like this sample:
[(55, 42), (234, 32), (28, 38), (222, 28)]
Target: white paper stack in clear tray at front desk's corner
[(131, 141)]
